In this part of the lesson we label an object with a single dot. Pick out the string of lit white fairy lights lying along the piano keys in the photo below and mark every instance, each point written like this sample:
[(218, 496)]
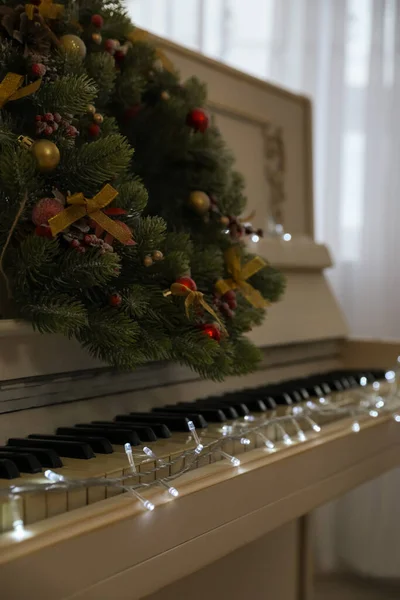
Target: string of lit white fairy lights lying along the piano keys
[(369, 404)]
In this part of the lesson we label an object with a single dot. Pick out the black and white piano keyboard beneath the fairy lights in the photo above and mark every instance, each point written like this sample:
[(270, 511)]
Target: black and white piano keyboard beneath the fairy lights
[(96, 448)]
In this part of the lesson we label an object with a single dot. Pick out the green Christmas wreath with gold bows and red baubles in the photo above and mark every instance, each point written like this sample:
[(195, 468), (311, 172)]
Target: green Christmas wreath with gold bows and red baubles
[(120, 206)]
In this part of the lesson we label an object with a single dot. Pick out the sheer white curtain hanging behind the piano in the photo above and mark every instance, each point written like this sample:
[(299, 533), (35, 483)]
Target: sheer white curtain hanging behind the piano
[(345, 54)]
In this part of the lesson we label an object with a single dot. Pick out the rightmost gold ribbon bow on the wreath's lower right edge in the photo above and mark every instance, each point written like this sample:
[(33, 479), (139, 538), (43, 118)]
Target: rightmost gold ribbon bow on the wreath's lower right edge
[(239, 275)]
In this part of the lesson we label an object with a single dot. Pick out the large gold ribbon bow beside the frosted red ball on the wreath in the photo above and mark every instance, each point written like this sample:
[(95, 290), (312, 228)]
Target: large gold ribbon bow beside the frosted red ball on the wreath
[(81, 206)]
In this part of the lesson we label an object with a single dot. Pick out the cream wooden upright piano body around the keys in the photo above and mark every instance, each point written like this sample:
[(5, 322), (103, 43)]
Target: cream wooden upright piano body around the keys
[(233, 532)]
